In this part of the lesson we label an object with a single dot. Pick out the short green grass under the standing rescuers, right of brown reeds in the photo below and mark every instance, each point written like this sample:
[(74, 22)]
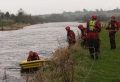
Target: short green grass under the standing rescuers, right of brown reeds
[(105, 69)]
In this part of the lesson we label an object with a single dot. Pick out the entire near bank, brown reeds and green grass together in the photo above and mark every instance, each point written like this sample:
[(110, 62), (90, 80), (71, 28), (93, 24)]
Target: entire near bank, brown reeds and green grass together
[(75, 64)]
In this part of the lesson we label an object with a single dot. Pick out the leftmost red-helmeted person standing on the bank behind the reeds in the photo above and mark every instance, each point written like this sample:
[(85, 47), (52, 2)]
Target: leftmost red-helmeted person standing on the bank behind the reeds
[(70, 36)]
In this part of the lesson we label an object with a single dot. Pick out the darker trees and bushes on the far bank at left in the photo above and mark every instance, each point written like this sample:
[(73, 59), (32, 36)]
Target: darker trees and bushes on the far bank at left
[(20, 17)]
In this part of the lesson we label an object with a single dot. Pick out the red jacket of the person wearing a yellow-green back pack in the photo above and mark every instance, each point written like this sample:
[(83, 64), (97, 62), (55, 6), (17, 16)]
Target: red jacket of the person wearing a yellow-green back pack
[(95, 32)]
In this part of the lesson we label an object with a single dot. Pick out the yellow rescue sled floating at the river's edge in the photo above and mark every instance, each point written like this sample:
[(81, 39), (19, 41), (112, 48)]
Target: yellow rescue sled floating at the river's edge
[(32, 64)]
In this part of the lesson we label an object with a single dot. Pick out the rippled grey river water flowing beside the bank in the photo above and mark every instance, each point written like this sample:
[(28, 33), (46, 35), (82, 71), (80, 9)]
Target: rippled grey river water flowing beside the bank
[(41, 38)]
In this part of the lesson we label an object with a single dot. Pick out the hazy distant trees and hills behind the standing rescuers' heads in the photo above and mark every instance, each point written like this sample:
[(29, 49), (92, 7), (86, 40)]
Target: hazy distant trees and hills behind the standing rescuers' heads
[(82, 16)]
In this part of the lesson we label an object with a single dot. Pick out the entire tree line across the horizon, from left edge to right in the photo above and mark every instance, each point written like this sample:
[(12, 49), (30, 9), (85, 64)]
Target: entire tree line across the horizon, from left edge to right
[(82, 16)]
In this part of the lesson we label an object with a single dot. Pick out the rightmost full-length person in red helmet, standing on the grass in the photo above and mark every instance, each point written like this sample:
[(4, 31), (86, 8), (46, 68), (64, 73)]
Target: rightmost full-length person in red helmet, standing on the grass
[(112, 29)]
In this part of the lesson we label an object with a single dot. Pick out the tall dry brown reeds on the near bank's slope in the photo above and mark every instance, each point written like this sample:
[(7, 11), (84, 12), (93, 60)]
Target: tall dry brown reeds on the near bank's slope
[(61, 67)]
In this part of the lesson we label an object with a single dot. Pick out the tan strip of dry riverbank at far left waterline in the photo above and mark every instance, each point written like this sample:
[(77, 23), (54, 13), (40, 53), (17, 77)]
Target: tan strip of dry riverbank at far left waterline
[(13, 27)]
